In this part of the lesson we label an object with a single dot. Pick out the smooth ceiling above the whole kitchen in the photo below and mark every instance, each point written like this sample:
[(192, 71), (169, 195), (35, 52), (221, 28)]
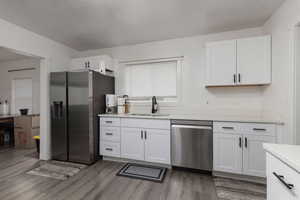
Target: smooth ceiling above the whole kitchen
[(92, 24)]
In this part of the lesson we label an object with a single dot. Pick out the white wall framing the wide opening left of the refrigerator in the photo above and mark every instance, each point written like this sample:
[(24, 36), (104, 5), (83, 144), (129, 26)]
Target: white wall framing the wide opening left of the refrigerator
[(55, 57)]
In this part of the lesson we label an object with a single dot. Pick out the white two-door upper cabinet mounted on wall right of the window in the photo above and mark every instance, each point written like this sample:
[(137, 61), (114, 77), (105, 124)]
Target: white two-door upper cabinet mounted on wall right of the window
[(244, 61)]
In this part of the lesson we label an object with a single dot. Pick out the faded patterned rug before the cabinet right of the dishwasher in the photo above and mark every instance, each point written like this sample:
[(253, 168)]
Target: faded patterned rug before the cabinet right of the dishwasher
[(229, 189)]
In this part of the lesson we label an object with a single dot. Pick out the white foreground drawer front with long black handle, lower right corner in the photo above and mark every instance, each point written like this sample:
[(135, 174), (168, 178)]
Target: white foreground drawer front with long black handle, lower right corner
[(276, 188)]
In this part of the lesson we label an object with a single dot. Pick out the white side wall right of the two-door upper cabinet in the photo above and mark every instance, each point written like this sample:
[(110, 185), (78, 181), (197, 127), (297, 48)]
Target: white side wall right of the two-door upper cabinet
[(278, 98)]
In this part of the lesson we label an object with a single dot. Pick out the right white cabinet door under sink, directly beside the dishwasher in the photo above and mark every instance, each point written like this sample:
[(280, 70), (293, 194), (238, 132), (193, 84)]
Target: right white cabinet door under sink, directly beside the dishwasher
[(157, 146)]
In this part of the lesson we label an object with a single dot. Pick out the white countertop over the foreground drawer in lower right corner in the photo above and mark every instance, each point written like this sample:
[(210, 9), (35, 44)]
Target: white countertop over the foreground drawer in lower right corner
[(289, 154)]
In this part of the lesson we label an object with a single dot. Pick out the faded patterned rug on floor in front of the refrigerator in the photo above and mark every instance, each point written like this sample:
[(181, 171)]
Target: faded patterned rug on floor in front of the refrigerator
[(56, 169)]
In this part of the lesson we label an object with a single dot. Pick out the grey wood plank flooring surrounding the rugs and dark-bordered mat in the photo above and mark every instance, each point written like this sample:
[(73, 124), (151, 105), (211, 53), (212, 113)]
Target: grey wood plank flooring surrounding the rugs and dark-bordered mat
[(96, 182)]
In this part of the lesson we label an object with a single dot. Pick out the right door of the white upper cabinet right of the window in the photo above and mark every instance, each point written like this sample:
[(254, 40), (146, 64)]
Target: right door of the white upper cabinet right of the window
[(254, 60)]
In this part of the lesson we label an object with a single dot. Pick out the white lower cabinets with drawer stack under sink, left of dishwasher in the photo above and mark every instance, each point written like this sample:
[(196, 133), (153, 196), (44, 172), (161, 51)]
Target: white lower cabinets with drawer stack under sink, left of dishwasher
[(138, 139)]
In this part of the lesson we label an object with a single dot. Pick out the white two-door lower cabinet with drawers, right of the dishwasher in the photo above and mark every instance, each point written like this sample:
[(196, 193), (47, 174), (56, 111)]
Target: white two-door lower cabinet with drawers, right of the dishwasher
[(240, 150)]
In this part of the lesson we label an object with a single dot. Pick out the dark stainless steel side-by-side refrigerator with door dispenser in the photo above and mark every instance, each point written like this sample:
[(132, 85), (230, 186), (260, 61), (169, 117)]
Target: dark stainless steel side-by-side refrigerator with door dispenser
[(76, 100)]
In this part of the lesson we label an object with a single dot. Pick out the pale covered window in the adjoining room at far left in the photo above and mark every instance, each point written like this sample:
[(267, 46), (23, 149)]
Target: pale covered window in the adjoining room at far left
[(21, 95)]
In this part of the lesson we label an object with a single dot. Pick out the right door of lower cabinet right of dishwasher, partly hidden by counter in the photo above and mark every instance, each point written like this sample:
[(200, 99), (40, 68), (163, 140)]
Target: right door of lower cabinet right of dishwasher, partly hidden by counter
[(254, 157)]
